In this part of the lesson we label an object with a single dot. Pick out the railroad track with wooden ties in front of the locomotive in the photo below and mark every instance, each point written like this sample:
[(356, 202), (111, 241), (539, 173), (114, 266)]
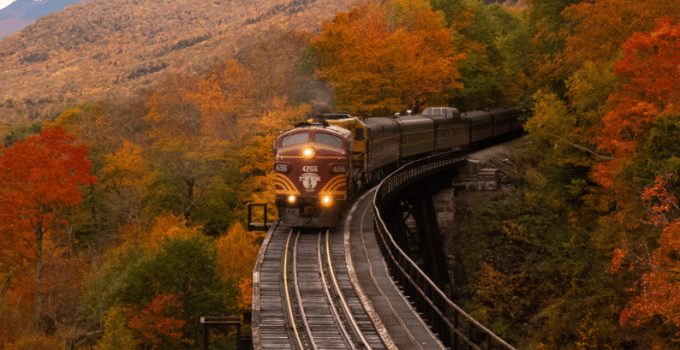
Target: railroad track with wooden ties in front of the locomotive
[(312, 298)]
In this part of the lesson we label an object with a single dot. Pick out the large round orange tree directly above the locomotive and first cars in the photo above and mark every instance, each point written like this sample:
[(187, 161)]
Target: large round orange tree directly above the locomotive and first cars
[(385, 58)]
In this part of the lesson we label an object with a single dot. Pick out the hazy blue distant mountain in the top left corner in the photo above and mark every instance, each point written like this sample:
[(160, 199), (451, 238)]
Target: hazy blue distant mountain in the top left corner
[(21, 13)]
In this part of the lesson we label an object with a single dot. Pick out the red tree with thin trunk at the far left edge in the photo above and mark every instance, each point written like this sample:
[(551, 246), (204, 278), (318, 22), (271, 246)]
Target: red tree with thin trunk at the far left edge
[(39, 179)]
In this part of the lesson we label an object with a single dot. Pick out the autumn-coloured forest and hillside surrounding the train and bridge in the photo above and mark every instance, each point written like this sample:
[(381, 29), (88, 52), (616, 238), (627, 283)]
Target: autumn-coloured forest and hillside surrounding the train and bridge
[(121, 215)]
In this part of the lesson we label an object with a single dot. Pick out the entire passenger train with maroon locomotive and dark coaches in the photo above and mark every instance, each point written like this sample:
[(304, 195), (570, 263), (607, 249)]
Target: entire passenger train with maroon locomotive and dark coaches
[(322, 163)]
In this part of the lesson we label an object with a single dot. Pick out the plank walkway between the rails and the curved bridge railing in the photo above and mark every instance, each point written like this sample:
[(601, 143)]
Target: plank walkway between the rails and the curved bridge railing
[(399, 319)]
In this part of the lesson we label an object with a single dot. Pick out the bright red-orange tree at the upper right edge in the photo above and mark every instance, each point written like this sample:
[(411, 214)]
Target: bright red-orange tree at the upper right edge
[(649, 68)]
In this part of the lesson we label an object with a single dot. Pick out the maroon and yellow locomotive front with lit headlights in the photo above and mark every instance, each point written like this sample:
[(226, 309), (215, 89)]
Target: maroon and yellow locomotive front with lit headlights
[(312, 171)]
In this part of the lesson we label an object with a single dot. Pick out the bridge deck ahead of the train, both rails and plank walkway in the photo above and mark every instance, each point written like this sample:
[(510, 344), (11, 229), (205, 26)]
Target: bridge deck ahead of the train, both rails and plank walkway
[(382, 317)]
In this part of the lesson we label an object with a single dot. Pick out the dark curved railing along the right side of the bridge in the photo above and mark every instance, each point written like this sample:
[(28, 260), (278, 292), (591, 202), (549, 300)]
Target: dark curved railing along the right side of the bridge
[(455, 327)]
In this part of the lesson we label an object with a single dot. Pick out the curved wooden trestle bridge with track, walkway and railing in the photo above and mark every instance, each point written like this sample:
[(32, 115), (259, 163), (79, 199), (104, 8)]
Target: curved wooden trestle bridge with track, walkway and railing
[(357, 286)]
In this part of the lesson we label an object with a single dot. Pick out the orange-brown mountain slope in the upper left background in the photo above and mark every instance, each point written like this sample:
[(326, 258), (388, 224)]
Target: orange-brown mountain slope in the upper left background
[(92, 48)]
